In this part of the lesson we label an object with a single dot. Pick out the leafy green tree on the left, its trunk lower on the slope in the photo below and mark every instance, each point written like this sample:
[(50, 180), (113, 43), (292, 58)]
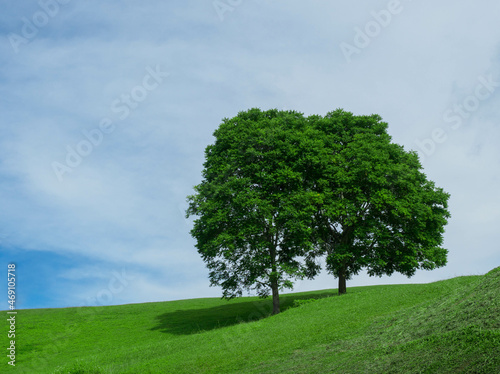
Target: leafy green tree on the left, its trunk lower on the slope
[(255, 212)]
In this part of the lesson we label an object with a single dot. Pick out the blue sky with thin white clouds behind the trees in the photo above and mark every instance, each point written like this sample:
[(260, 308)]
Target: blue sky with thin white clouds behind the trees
[(106, 109)]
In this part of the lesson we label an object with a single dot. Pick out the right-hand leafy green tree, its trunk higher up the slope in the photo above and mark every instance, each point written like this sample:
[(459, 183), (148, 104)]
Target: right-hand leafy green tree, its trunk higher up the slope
[(378, 209)]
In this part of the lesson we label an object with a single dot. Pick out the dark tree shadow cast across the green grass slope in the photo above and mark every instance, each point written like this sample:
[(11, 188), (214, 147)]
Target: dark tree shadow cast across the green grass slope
[(192, 321)]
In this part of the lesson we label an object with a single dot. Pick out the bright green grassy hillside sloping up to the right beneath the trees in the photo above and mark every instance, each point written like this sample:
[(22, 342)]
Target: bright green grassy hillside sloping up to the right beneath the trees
[(450, 326)]
